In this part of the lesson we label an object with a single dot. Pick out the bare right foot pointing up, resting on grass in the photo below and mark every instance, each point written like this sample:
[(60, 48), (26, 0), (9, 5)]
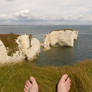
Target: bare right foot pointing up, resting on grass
[(64, 84)]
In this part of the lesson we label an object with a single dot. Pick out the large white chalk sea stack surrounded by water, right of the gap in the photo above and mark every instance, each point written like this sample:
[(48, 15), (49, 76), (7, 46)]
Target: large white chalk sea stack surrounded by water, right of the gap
[(60, 37)]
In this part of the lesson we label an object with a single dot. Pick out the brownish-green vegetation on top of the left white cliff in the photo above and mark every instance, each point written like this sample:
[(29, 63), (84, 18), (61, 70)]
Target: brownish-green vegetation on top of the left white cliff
[(9, 42)]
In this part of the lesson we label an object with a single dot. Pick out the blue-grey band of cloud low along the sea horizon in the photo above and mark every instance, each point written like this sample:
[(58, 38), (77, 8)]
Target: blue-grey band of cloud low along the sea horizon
[(26, 20)]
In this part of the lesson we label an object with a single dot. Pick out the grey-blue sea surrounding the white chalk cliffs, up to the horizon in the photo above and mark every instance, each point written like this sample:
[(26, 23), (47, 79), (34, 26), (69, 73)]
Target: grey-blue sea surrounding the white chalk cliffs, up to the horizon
[(59, 56)]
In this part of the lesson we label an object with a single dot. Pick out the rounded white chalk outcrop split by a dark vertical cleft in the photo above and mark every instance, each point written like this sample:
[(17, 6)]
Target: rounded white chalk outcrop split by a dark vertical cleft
[(28, 46)]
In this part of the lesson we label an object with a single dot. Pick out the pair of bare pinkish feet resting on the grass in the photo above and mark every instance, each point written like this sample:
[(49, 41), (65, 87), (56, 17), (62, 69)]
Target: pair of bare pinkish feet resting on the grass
[(63, 85)]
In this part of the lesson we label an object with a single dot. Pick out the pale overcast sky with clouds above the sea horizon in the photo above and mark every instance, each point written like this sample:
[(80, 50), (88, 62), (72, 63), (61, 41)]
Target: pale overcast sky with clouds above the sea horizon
[(46, 11)]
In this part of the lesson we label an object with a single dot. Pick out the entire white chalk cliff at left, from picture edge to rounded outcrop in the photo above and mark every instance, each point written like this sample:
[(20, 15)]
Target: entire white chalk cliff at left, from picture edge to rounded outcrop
[(28, 47)]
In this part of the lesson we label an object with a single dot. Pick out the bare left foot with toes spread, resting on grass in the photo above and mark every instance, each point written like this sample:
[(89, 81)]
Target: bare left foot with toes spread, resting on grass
[(31, 85)]
